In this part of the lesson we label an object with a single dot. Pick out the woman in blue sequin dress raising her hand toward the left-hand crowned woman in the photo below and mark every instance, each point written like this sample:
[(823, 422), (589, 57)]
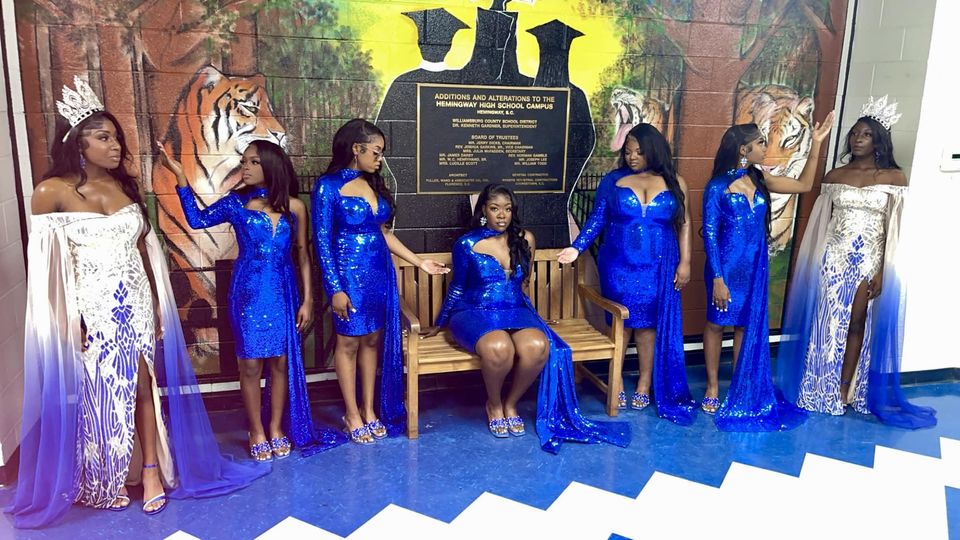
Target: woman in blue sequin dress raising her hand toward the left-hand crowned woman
[(267, 310)]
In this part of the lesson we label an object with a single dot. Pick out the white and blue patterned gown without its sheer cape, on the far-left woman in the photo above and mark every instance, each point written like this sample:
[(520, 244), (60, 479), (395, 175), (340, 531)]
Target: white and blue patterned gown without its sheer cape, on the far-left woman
[(115, 303)]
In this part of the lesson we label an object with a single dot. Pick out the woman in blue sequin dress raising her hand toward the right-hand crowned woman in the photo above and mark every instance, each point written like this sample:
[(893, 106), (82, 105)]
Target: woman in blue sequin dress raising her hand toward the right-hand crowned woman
[(736, 224)]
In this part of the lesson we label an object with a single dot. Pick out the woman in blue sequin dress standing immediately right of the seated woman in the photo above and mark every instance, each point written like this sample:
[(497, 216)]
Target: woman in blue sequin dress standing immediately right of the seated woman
[(644, 261)]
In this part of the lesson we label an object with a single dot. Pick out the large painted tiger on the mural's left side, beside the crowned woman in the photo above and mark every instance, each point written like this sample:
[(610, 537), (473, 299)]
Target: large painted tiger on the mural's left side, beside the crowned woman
[(216, 117)]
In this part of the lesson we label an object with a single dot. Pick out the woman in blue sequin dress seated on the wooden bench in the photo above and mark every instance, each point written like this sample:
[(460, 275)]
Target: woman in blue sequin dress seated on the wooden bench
[(489, 314)]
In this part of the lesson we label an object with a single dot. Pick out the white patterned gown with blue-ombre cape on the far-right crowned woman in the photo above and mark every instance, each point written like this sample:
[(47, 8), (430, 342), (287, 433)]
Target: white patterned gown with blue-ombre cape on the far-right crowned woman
[(852, 236)]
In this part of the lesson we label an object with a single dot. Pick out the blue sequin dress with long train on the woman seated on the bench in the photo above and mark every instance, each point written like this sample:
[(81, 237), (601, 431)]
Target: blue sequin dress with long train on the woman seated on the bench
[(483, 298)]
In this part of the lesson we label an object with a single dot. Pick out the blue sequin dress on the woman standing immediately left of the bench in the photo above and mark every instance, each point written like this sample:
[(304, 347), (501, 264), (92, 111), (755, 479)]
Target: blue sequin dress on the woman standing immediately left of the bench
[(354, 259)]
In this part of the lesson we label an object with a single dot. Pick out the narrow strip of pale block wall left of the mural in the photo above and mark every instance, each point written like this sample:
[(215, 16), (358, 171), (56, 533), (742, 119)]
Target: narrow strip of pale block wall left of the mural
[(13, 285)]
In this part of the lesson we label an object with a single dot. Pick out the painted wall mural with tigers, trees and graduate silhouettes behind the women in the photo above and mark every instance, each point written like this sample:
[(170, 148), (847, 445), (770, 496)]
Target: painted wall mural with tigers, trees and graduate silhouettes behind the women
[(207, 77)]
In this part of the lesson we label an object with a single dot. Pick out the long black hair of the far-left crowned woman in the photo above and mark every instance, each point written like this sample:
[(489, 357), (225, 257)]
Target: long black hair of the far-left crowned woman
[(67, 153)]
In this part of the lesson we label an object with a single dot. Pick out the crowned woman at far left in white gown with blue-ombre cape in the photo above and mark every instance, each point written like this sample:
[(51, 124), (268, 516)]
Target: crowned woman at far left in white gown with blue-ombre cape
[(101, 330)]
